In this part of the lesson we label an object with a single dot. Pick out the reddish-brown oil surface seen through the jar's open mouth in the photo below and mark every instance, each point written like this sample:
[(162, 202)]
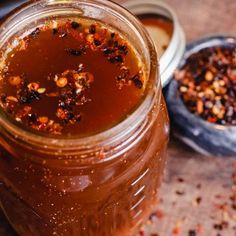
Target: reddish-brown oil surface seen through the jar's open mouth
[(48, 53)]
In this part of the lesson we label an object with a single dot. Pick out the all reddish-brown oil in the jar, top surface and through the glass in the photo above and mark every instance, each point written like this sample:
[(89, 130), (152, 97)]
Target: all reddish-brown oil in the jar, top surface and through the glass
[(46, 194)]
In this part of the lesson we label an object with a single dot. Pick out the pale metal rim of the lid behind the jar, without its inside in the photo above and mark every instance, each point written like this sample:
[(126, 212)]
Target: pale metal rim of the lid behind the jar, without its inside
[(175, 50)]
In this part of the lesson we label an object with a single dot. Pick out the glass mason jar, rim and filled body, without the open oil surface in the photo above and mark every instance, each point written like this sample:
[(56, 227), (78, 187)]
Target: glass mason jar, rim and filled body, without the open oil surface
[(102, 185)]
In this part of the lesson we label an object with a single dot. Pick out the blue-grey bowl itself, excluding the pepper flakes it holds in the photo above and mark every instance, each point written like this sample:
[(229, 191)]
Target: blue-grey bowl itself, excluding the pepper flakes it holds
[(204, 137)]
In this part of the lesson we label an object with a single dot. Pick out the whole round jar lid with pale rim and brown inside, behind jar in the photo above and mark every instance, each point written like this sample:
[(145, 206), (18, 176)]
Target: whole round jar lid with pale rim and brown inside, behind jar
[(165, 30)]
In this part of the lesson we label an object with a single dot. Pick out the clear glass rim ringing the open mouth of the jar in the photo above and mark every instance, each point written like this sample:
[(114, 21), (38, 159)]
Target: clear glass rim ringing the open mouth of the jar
[(115, 132)]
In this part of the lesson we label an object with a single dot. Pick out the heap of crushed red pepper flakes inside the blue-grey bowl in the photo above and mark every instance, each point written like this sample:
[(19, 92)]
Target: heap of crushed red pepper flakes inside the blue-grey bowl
[(207, 84)]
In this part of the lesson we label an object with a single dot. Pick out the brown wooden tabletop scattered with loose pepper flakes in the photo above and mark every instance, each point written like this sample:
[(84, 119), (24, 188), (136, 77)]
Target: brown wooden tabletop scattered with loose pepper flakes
[(197, 192)]
